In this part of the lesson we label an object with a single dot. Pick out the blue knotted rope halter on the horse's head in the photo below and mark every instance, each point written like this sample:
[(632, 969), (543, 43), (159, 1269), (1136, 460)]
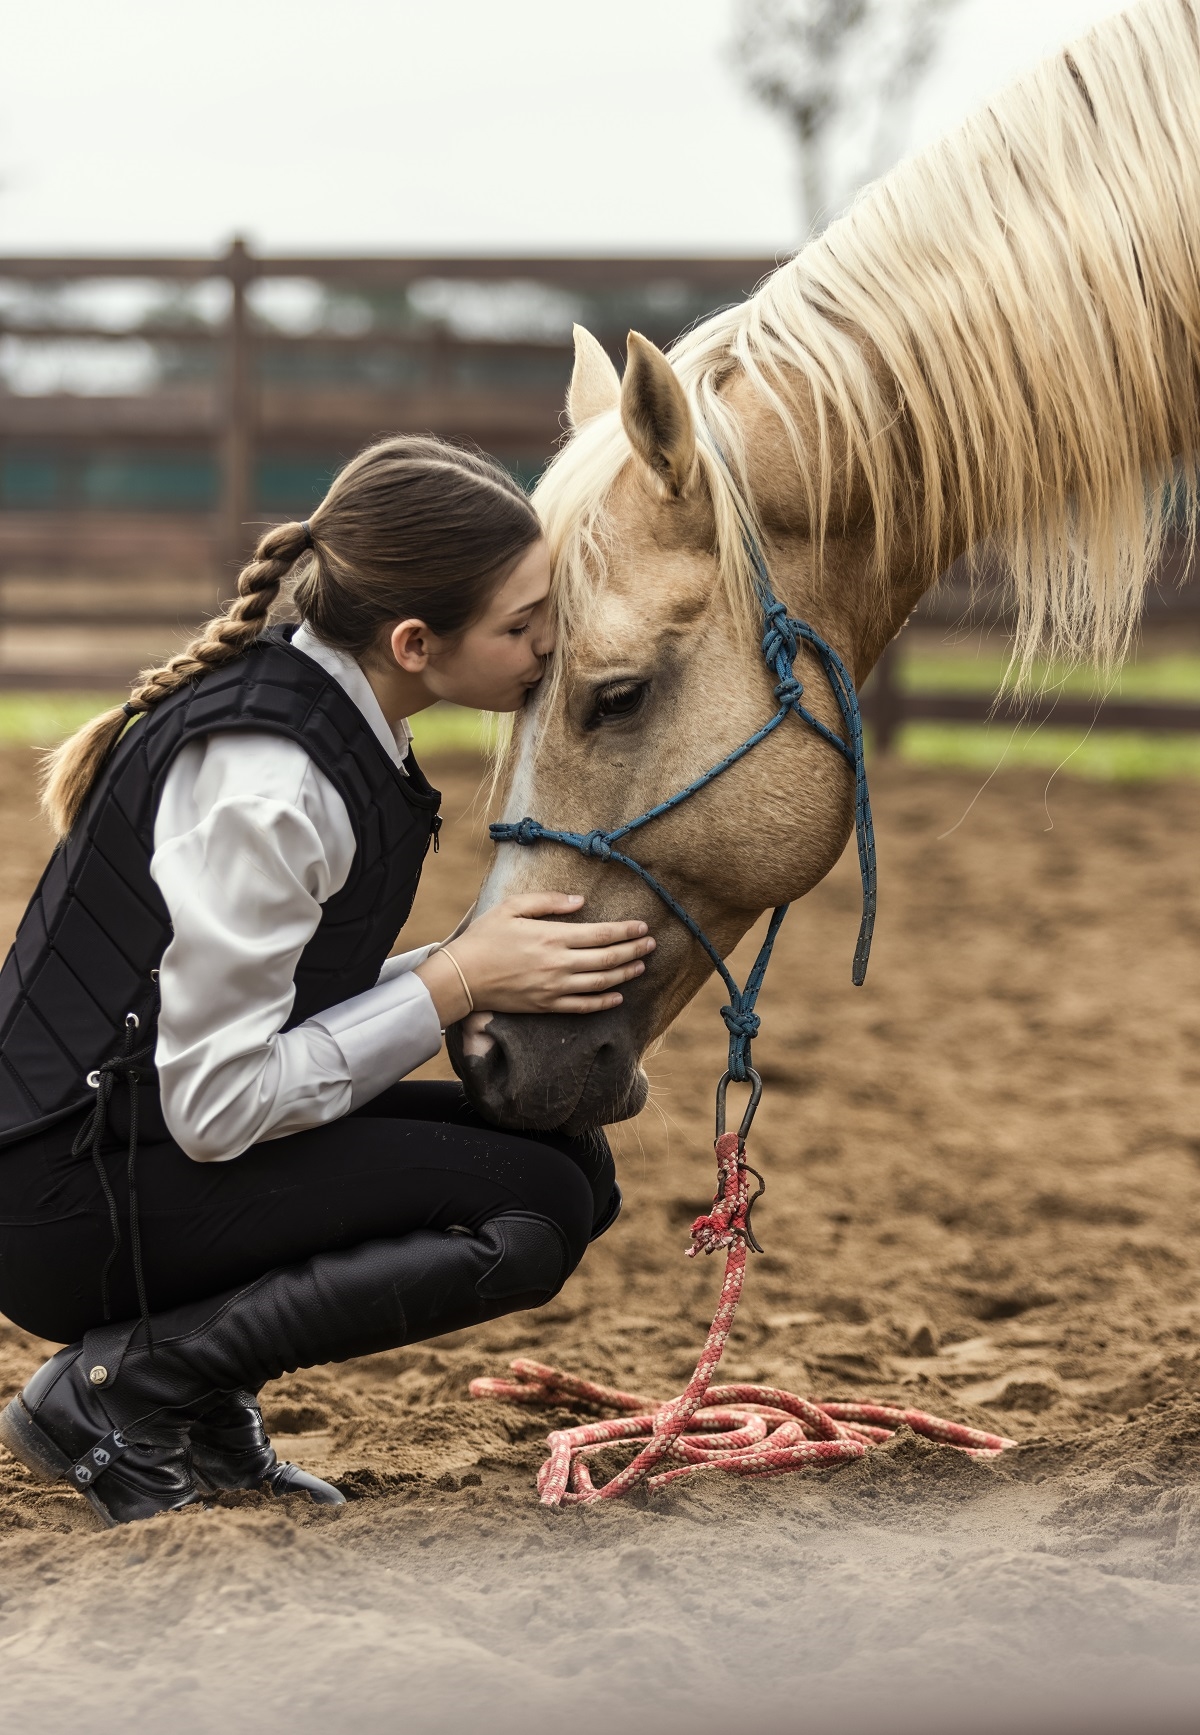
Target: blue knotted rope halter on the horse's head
[(783, 638)]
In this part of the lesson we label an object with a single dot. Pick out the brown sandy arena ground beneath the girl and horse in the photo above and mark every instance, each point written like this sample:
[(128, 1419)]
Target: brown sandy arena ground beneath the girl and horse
[(984, 1198)]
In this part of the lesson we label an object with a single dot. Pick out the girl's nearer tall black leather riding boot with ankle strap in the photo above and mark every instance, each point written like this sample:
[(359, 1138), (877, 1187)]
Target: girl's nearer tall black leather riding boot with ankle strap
[(114, 1415)]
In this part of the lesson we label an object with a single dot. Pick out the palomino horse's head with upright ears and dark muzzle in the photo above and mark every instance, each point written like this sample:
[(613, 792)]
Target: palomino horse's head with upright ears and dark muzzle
[(660, 674)]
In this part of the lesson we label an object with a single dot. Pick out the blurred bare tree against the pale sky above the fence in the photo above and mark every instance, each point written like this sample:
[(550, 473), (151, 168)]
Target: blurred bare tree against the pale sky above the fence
[(838, 67)]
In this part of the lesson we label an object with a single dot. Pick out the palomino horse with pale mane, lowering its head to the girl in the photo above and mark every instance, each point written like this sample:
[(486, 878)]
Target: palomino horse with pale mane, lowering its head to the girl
[(998, 344)]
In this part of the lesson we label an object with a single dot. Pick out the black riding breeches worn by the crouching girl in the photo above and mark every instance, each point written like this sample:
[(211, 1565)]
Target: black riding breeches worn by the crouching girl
[(414, 1158)]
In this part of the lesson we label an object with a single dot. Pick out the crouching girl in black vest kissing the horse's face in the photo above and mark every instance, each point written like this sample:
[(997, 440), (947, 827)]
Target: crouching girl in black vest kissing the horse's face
[(209, 1172)]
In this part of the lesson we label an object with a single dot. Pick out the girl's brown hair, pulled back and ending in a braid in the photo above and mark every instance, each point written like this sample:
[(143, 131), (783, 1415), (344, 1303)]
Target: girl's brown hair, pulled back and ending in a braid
[(412, 528)]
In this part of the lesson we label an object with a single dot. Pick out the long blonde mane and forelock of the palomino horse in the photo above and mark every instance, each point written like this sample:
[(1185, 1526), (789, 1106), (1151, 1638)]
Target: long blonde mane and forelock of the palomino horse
[(1005, 334)]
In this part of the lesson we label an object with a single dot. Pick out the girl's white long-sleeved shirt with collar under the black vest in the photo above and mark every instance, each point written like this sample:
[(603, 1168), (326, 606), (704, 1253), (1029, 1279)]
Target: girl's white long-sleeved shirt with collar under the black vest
[(251, 841)]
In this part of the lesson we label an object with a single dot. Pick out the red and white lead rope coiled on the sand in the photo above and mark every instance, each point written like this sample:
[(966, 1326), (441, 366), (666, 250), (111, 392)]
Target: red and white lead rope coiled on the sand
[(748, 1431)]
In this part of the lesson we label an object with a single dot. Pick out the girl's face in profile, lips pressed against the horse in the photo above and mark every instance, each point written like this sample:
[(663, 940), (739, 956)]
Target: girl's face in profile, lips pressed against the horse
[(502, 655)]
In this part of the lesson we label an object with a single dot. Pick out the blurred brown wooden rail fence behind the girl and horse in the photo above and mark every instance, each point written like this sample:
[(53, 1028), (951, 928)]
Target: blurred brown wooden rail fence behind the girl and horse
[(249, 414)]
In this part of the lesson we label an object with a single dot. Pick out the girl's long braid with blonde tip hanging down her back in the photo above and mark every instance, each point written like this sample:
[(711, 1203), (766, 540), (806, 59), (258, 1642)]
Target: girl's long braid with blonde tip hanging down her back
[(72, 768)]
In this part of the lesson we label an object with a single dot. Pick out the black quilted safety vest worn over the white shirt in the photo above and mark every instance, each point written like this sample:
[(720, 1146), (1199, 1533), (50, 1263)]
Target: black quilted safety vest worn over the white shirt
[(89, 945)]
